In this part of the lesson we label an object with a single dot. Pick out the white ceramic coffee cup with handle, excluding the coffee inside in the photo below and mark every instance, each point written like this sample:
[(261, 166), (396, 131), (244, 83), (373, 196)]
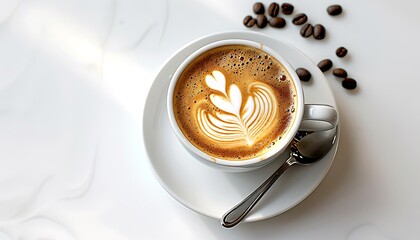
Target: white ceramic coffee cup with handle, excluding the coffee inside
[(313, 117)]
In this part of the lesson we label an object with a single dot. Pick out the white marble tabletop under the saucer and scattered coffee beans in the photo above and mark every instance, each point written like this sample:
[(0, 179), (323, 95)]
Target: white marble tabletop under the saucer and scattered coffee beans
[(74, 77)]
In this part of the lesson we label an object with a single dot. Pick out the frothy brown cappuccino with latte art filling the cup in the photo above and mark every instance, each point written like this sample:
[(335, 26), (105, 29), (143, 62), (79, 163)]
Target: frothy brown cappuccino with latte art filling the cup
[(235, 102)]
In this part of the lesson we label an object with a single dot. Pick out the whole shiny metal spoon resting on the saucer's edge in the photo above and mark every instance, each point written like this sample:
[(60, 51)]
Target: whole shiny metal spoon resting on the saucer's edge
[(311, 147)]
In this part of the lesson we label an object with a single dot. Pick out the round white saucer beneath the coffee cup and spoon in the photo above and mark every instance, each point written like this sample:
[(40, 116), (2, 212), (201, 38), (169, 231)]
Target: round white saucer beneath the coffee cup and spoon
[(212, 192)]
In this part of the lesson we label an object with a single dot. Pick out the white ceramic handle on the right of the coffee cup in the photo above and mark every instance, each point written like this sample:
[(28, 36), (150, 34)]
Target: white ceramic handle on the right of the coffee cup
[(318, 117)]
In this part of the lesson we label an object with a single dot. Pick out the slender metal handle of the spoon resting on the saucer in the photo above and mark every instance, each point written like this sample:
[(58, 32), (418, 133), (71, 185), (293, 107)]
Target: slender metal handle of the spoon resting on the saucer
[(241, 210)]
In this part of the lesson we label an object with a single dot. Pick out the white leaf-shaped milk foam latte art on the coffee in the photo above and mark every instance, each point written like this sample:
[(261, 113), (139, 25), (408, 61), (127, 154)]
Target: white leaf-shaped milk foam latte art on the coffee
[(237, 120)]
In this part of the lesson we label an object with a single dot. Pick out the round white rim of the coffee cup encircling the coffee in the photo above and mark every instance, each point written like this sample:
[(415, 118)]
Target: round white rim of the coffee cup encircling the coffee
[(269, 155)]
